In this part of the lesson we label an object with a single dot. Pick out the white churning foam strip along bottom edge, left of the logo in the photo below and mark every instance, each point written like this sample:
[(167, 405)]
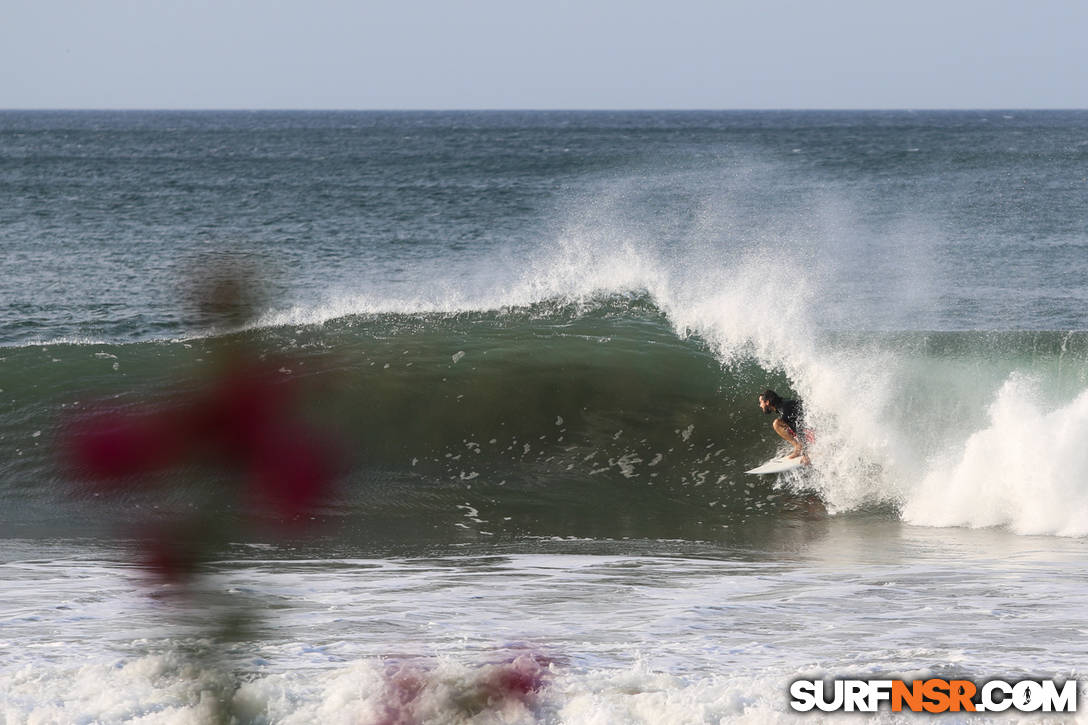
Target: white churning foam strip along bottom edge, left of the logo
[(166, 691)]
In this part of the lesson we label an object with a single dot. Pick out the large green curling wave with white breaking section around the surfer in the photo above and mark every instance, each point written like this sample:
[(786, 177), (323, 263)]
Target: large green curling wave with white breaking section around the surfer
[(605, 419)]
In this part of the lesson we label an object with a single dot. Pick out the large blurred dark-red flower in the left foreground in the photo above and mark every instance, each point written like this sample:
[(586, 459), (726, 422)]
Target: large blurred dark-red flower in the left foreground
[(246, 421)]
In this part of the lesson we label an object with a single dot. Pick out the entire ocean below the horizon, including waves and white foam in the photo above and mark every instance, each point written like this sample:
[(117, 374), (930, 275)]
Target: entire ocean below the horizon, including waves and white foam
[(443, 417)]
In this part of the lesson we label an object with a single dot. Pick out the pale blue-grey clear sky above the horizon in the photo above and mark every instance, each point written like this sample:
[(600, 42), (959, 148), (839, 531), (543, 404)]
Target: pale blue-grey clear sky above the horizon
[(543, 55)]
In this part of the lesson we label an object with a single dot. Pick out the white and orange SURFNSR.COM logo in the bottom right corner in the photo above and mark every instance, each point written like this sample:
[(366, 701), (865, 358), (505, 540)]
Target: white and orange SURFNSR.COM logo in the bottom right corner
[(934, 696)]
